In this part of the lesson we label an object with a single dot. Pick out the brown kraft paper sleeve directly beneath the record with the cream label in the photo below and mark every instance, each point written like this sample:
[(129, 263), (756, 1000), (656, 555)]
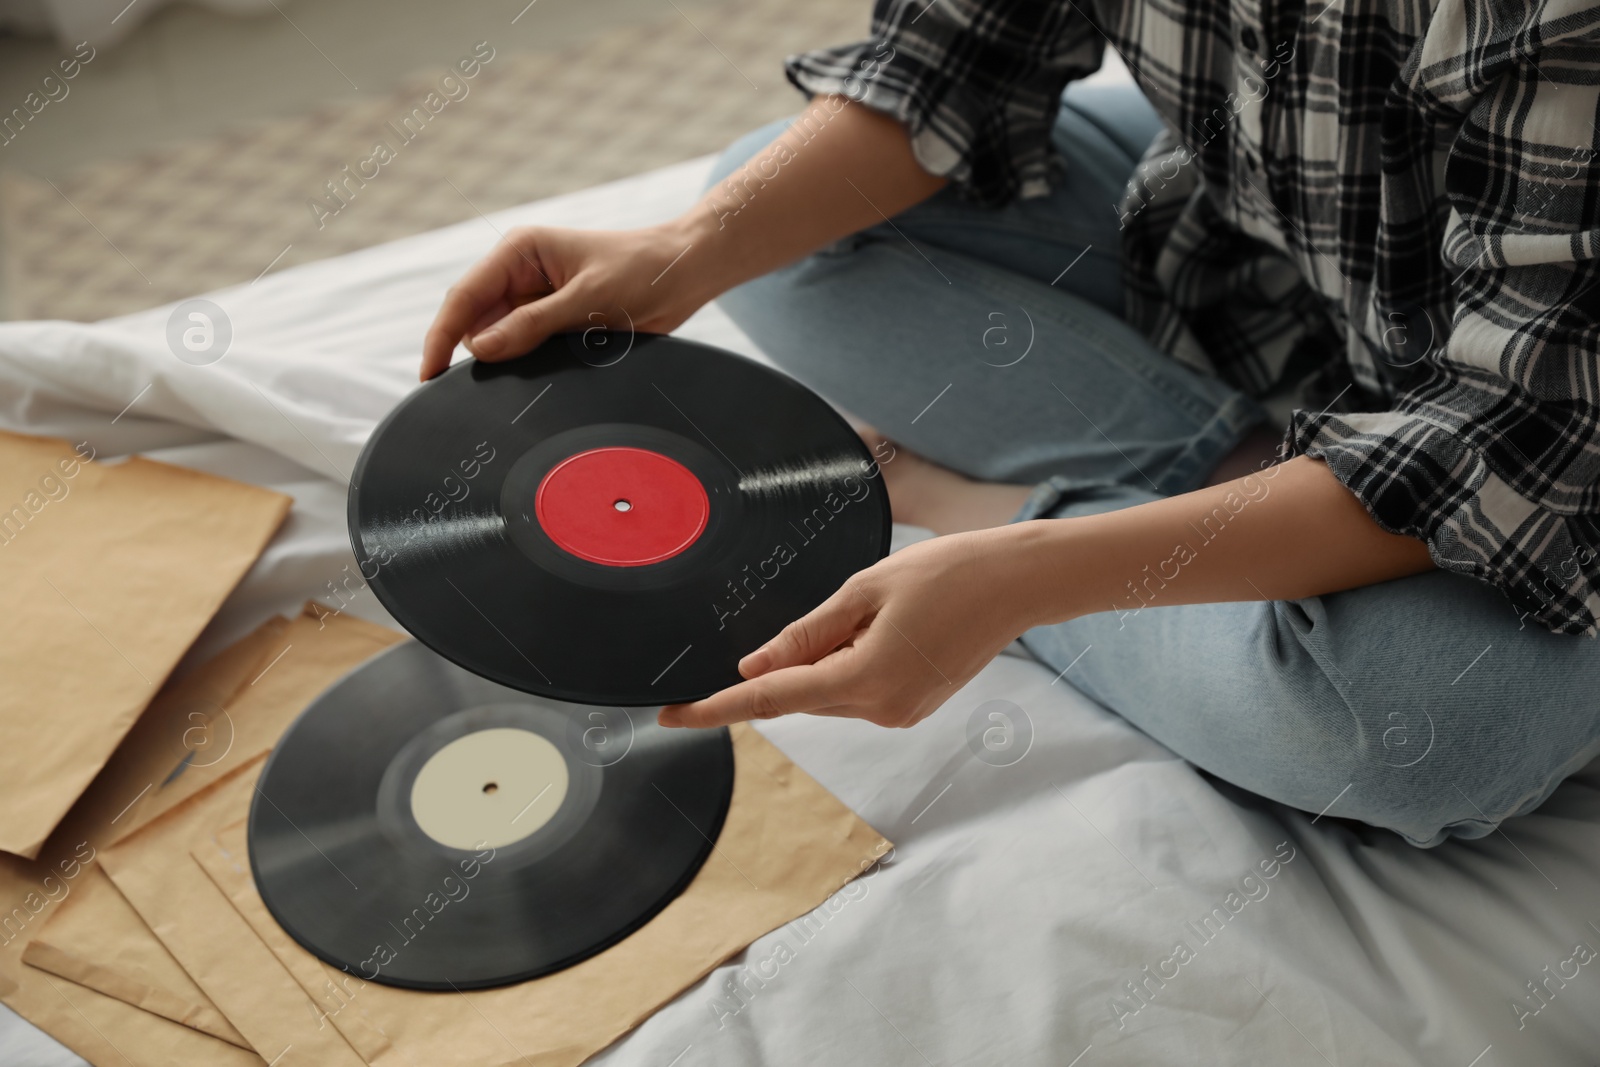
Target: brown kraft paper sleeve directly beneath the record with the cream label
[(786, 847)]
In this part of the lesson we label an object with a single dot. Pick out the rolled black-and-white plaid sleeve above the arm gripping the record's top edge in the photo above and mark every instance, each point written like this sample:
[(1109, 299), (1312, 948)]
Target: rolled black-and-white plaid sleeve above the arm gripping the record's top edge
[(975, 82)]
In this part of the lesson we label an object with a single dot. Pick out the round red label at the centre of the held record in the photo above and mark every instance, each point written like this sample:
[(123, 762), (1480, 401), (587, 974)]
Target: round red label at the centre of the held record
[(622, 506)]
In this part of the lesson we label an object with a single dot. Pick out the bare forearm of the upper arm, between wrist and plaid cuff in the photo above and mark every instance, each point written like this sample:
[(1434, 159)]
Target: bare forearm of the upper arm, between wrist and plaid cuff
[(838, 170)]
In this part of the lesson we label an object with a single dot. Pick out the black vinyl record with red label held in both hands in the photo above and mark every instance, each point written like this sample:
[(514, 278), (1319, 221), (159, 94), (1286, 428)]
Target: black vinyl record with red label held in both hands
[(610, 519)]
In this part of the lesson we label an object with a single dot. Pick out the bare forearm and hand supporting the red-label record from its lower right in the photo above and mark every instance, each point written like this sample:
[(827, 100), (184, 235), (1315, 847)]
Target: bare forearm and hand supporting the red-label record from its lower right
[(910, 631)]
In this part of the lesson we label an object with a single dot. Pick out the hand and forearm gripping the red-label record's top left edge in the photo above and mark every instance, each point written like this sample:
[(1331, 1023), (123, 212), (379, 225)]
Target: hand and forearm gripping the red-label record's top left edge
[(841, 170)]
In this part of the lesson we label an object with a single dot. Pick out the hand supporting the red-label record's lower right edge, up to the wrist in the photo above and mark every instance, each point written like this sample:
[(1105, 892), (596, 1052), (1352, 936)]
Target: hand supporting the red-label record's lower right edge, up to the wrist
[(894, 644)]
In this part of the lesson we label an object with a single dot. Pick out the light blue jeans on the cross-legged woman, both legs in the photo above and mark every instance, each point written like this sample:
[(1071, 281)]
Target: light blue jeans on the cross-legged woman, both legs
[(991, 342)]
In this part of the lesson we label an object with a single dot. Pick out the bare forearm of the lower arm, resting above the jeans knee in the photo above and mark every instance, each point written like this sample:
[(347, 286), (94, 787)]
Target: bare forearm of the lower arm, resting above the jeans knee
[(1284, 533)]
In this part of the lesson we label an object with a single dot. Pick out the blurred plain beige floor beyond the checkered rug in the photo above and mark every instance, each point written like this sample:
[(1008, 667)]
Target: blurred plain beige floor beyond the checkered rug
[(193, 73)]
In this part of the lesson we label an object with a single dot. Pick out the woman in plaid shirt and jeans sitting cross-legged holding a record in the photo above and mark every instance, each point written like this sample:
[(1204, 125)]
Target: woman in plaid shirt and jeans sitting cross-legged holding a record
[(1084, 319)]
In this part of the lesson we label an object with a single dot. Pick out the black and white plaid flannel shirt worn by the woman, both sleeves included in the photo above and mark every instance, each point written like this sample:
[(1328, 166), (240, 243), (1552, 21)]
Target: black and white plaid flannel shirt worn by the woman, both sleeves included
[(1390, 206)]
